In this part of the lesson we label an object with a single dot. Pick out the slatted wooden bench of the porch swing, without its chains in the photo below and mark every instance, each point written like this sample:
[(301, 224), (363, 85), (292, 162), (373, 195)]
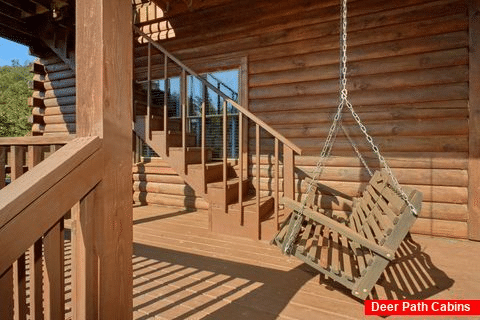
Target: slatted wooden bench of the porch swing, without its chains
[(355, 252)]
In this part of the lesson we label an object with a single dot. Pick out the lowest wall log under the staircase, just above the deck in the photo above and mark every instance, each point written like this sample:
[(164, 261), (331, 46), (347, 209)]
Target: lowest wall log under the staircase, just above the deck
[(170, 200)]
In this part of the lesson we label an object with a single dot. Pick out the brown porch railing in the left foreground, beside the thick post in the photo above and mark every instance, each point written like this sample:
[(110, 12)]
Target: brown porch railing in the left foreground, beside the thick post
[(32, 211)]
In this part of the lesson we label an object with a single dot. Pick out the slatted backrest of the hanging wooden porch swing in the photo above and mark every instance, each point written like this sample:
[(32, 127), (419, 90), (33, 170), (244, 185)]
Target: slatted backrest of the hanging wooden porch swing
[(377, 214)]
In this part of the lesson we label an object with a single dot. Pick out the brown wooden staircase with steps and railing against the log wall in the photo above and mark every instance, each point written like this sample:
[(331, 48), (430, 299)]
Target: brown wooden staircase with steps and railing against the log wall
[(236, 204)]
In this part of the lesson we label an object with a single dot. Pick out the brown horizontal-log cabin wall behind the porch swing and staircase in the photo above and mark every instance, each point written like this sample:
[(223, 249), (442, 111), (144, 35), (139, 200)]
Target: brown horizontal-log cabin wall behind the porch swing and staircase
[(408, 80)]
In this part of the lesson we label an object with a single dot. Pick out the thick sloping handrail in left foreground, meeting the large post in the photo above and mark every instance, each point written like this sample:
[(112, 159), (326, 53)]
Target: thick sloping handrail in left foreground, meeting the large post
[(30, 205)]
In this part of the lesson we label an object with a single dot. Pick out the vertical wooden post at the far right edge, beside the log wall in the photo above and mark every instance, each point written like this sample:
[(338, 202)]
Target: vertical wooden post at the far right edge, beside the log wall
[(474, 122)]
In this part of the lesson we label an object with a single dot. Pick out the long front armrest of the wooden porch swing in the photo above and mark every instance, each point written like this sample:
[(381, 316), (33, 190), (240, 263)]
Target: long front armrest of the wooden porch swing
[(340, 228)]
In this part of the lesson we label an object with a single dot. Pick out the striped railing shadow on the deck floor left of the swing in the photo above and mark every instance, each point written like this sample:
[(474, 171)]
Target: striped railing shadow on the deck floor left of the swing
[(207, 286)]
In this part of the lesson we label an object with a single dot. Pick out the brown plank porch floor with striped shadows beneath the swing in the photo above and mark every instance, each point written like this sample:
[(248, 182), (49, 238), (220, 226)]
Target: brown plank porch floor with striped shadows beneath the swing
[(182, 271)]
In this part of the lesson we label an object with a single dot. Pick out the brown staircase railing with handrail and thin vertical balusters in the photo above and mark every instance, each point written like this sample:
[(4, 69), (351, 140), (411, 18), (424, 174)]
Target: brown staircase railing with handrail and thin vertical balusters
[(265, 136)]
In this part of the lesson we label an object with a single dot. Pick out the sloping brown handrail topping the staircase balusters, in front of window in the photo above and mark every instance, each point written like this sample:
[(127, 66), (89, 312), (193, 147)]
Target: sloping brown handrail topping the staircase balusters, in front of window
[(250, 115)]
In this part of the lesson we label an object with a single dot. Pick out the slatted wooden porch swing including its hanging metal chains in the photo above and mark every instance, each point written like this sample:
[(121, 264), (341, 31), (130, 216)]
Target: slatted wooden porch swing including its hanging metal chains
[(356, 250)]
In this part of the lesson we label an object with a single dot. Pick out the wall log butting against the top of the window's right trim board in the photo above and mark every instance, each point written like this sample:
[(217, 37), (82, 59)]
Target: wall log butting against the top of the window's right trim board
[(412, 46)]
